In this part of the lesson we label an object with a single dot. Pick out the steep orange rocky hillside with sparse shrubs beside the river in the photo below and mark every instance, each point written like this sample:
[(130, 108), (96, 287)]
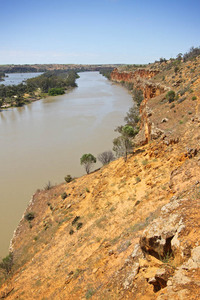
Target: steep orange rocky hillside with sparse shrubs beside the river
[(130, 229)]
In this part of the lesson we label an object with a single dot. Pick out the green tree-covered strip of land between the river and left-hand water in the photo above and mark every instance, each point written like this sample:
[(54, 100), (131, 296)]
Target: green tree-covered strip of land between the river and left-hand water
[(52, 82)]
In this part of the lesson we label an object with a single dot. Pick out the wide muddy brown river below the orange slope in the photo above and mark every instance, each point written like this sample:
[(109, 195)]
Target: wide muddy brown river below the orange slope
[(43, 141)]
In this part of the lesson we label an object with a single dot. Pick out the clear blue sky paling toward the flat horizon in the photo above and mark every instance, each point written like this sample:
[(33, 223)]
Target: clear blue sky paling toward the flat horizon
[(96, 31)]
